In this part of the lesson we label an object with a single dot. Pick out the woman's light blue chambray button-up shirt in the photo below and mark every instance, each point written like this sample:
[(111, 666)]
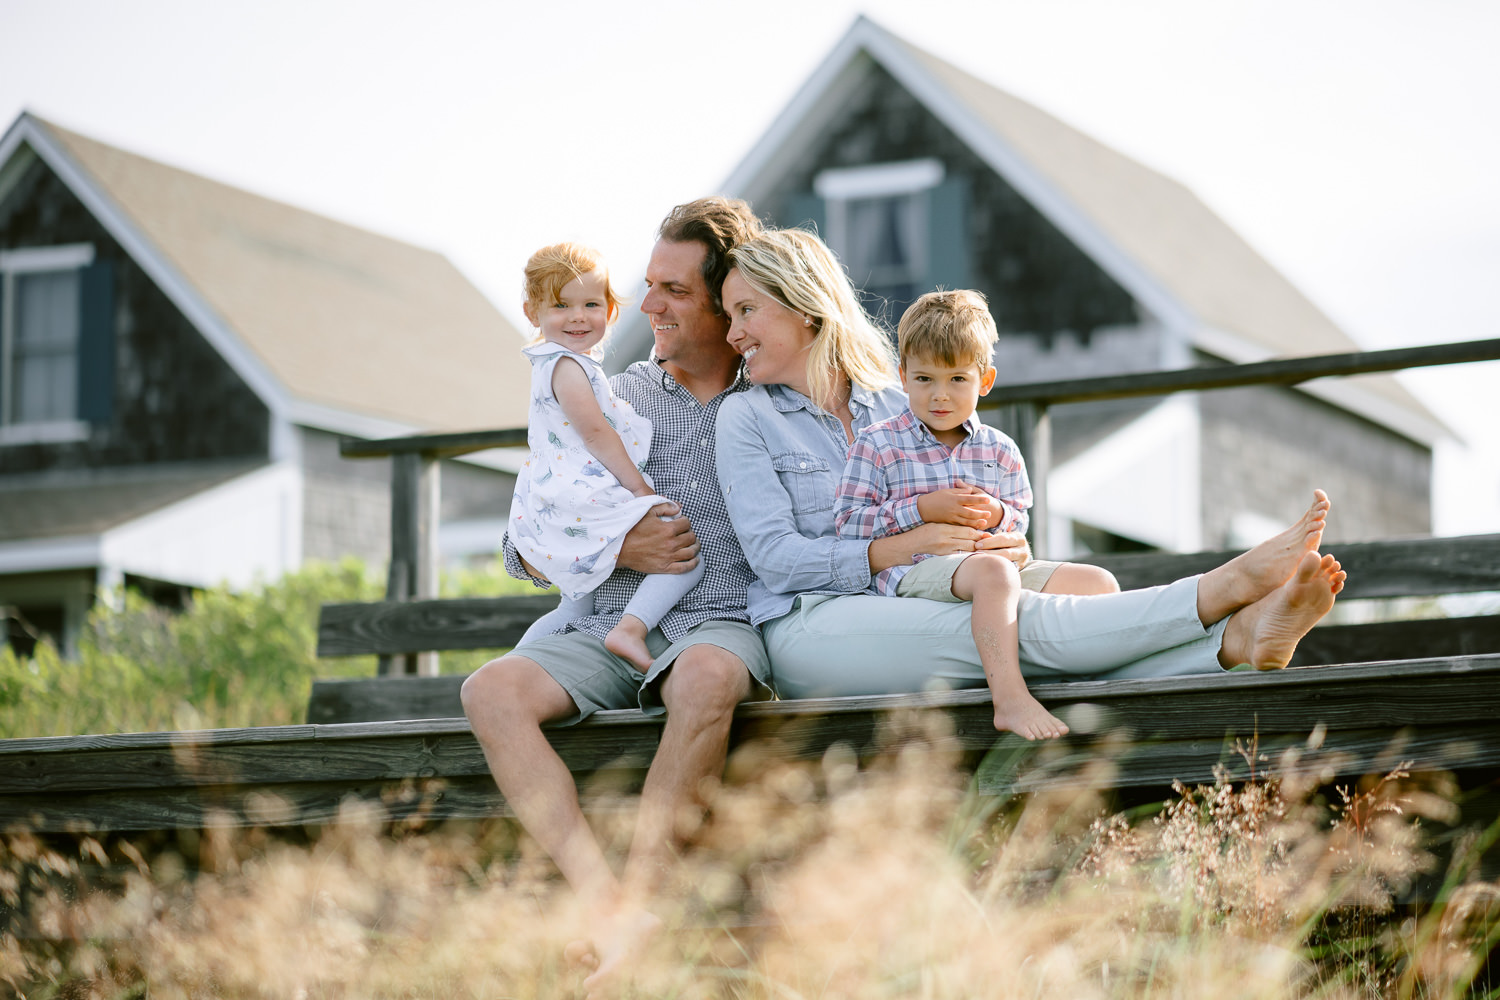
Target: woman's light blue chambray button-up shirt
[(779, 464)]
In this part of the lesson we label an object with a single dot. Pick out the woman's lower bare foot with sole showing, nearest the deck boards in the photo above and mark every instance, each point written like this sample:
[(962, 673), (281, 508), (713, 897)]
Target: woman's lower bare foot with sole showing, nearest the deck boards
[(1267, 633)]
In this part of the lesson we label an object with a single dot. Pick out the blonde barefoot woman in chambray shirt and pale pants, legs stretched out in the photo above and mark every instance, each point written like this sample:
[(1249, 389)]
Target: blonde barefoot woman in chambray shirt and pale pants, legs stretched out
[(821, 374)]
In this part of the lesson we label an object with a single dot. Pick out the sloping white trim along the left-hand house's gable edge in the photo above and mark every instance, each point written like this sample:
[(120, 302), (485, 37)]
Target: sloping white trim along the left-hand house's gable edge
[(146, 256)]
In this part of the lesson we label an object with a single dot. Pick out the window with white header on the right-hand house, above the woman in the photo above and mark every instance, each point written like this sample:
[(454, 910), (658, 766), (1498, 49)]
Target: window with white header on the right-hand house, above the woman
[(880, 220)]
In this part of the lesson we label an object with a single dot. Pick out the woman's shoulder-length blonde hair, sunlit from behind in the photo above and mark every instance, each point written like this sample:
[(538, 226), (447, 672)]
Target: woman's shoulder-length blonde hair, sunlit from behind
[(800, 272)]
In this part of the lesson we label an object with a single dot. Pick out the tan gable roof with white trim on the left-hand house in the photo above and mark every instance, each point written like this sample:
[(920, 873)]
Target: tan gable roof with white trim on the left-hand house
[(334, 326)]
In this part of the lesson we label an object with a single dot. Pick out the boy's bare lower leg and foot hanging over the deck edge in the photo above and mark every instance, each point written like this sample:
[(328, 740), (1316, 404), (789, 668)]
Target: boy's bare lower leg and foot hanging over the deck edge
[(991, 582)]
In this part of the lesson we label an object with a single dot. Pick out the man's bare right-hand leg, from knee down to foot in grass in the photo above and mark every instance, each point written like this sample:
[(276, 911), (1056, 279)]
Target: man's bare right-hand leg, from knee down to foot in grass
[(700, 692)]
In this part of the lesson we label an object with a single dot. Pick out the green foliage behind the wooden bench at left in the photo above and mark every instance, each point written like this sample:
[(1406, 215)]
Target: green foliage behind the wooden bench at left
[(229, 660)]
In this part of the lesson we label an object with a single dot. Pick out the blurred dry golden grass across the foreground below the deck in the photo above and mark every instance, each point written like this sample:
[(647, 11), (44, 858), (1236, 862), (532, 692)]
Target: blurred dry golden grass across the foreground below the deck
[(823, 881)]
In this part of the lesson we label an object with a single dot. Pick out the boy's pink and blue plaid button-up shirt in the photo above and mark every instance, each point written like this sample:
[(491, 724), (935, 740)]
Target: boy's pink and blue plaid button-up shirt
[(899, 460)]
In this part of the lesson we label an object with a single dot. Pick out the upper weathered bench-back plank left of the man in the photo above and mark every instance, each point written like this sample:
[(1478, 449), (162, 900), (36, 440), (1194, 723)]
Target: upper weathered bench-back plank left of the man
[(391, 627)]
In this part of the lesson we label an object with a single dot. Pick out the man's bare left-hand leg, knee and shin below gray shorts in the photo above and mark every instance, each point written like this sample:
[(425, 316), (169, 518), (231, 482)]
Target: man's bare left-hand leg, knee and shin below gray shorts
[(506, 702)]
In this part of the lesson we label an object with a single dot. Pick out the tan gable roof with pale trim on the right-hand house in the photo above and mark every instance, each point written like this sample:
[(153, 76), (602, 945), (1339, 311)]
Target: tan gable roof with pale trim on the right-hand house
[(1148, 232)]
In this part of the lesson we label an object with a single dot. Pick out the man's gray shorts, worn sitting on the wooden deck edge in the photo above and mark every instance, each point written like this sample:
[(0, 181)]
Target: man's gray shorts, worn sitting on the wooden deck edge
[(598, 680)]
